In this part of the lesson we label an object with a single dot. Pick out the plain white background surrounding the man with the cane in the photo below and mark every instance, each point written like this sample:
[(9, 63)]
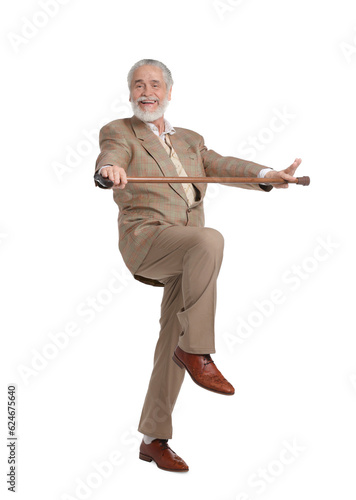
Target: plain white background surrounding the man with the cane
[(234, 64)]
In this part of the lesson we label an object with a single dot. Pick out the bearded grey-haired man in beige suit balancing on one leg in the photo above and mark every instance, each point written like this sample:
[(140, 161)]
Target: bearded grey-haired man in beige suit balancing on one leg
[(163, 242)]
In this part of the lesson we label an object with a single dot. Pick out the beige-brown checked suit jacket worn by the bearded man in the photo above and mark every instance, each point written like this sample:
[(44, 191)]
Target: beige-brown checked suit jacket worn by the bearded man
[(147, 209)]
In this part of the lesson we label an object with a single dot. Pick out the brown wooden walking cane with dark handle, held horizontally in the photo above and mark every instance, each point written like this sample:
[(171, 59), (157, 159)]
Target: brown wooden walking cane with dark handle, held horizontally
[(106, 183)]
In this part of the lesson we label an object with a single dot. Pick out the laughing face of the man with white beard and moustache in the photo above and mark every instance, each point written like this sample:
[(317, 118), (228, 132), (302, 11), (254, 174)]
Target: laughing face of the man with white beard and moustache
[(149, 96)]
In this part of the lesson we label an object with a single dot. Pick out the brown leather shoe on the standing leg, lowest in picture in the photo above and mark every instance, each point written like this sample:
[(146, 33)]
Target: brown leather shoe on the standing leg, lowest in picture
[(163, 455)]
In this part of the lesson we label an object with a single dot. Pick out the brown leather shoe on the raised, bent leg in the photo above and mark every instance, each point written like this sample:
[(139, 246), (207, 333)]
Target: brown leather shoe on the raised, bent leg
[(203, 371)]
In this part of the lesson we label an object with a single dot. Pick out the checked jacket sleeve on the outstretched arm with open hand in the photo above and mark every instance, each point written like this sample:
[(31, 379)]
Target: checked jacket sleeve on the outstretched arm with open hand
[(216, 165)]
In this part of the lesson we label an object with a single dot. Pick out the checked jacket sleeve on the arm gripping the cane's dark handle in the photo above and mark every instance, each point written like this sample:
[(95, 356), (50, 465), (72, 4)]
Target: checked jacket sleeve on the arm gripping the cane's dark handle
[(114, 148)]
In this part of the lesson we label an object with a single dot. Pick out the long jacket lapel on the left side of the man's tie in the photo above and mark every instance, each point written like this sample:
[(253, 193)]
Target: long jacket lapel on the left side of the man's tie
[(153, 146)]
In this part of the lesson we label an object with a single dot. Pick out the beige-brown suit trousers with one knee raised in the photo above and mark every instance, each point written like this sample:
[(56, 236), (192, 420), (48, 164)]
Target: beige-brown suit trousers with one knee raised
[(188, 260)]
